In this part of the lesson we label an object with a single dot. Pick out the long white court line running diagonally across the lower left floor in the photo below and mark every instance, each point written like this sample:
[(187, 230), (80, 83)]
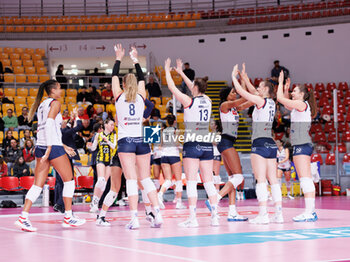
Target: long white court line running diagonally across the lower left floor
[(107, 245)]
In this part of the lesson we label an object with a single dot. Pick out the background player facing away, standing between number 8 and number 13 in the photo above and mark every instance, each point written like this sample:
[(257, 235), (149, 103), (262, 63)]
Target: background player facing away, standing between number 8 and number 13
[(171, 163)]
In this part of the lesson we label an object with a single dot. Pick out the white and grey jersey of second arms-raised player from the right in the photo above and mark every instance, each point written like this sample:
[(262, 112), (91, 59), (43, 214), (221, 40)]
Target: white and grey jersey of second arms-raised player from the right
[(263, 119)]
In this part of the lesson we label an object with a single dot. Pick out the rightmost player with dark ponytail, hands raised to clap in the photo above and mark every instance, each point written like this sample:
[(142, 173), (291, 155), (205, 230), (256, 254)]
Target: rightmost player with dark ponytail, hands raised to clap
[(303, 108)]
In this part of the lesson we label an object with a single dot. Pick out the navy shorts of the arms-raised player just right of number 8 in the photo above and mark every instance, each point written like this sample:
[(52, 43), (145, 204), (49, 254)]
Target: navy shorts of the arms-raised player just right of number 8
[(202, 151)]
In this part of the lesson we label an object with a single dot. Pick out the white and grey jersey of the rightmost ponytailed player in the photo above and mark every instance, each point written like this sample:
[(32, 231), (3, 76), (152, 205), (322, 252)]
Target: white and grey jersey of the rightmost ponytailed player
[(300, 126)]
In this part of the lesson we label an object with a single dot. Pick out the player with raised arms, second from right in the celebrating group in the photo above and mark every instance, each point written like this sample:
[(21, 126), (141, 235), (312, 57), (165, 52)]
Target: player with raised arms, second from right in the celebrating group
[(264, 149)]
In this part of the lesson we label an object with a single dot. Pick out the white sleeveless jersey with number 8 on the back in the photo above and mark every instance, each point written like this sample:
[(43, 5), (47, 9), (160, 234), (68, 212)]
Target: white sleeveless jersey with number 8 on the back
[(130, 116)]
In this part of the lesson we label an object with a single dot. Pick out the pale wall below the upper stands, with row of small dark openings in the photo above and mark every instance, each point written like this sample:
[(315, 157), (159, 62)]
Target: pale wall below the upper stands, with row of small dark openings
[(320, 57)]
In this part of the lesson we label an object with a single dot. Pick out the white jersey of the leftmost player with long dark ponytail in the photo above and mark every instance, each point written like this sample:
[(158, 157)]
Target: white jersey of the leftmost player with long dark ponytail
[(42, 114)]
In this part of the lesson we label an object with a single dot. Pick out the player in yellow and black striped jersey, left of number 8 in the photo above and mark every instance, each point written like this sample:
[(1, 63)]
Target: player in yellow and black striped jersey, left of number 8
[(105, 142)]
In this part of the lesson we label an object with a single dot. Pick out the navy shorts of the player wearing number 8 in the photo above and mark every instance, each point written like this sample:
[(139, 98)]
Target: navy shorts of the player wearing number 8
[(133, 145)]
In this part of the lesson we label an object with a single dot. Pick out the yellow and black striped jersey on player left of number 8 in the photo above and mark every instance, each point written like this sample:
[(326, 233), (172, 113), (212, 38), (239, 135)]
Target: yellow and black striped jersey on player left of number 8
[(105, 152)]
